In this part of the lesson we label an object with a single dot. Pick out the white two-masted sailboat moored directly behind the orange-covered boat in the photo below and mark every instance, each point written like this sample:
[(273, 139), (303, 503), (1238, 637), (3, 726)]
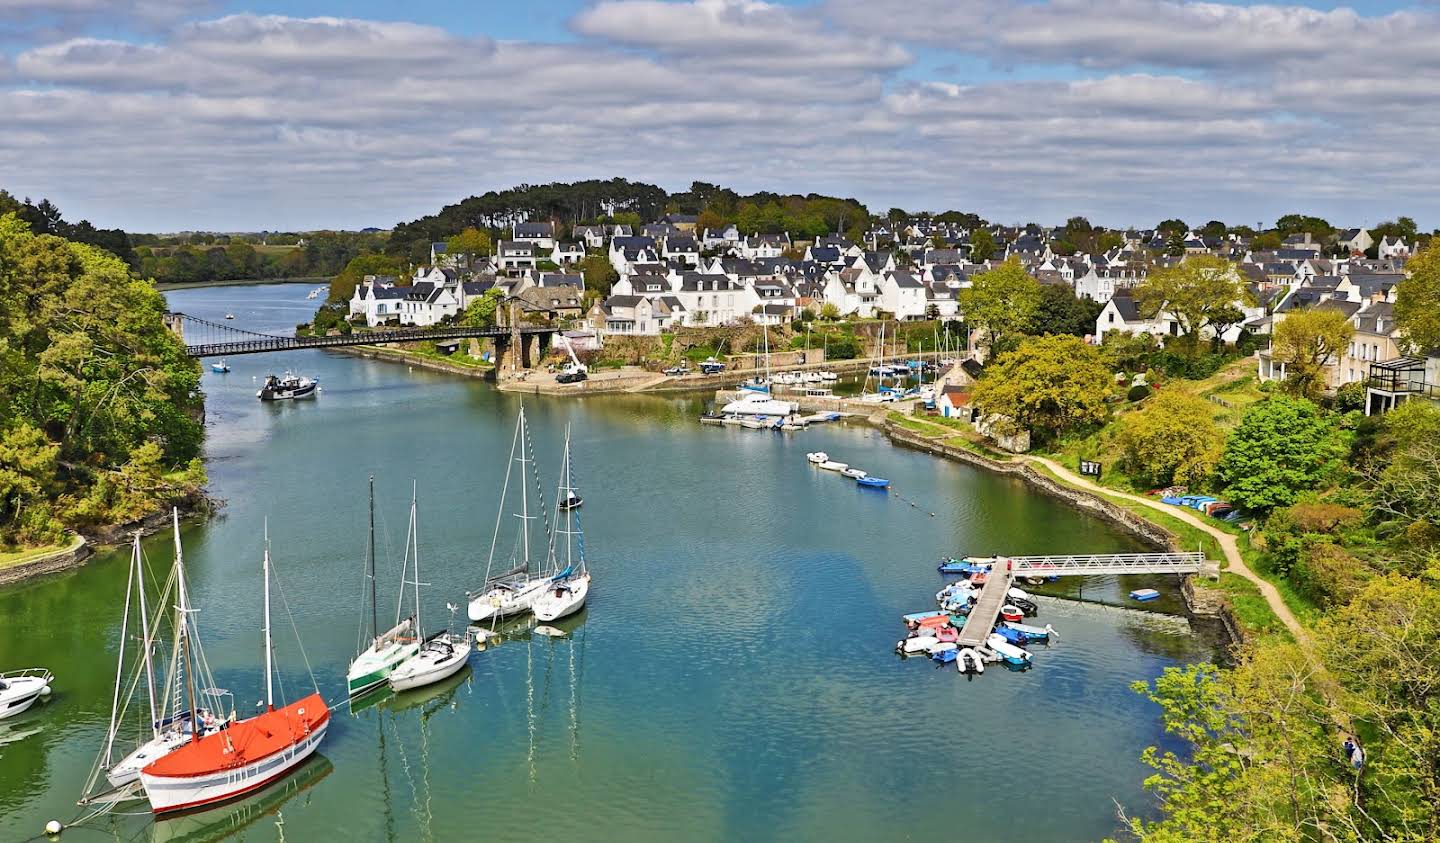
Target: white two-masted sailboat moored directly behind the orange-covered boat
[(189, 675)]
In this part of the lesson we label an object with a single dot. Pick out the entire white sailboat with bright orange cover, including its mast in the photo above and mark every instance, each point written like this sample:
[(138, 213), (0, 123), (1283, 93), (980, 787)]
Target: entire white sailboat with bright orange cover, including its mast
[(246, 756)]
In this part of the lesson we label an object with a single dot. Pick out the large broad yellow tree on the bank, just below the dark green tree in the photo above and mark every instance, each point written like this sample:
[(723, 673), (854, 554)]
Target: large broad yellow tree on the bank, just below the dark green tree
[(1048, 387)]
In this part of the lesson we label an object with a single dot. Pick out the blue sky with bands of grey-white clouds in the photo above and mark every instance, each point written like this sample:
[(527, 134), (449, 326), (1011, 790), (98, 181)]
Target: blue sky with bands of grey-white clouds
[(257, 115)]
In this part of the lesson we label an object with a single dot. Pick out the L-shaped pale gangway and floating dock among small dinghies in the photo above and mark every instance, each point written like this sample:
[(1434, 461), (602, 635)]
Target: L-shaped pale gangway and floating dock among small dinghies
[(1004, 571)]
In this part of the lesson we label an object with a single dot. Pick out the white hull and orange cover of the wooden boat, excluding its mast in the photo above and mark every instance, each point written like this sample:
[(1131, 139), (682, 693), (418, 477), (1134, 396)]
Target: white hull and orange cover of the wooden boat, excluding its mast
[(211, 783)]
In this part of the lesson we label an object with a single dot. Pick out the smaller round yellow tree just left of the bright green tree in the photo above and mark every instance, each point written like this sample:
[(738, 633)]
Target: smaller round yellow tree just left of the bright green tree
[(1174, 439)]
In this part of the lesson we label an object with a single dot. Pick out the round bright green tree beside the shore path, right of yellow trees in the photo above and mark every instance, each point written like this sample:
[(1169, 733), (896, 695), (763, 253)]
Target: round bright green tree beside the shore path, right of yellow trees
[(1282, 449)]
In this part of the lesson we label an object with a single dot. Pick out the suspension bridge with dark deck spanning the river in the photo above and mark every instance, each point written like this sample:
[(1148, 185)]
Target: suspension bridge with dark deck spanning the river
[(214, 339)]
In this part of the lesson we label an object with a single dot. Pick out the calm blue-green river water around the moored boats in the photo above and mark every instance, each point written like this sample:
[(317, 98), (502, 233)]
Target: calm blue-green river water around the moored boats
[(732, 678)]
